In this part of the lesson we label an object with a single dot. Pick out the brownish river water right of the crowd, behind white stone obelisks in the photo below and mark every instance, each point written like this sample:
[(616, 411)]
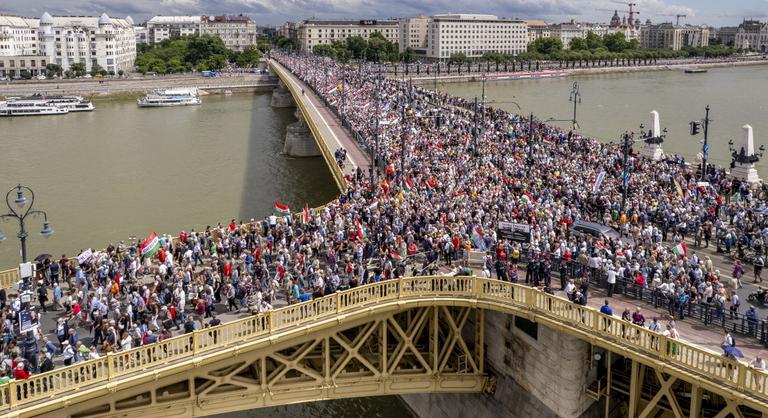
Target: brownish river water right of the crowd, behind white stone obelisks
[(616, 102)]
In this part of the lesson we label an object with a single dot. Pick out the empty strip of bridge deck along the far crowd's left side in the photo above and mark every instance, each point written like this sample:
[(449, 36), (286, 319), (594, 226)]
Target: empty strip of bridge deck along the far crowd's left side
[(332, 132)]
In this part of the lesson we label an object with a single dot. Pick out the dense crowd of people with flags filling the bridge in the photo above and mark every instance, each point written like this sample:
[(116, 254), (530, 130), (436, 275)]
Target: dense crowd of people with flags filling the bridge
[(439, 197)]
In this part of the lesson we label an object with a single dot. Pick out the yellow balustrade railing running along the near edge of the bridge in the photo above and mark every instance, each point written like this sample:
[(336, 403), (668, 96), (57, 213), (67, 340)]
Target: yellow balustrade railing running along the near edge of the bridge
[(701, 362)]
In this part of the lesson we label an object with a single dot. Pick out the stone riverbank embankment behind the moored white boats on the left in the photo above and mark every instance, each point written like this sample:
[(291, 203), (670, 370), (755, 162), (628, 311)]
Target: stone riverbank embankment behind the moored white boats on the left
[(109, 87)]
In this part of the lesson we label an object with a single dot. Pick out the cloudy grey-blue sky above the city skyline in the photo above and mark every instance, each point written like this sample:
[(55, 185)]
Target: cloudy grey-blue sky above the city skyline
[(276, 12)]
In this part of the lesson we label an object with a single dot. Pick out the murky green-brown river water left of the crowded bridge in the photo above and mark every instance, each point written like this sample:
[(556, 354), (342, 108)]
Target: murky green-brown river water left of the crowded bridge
[(122, 171)]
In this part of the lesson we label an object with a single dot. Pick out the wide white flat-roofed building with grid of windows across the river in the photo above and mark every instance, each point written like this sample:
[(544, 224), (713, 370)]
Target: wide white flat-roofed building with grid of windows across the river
[(474, 35)]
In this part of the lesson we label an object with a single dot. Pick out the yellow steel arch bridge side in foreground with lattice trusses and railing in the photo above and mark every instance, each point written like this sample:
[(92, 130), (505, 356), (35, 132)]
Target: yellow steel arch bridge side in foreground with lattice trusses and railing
[(412, 335)]
